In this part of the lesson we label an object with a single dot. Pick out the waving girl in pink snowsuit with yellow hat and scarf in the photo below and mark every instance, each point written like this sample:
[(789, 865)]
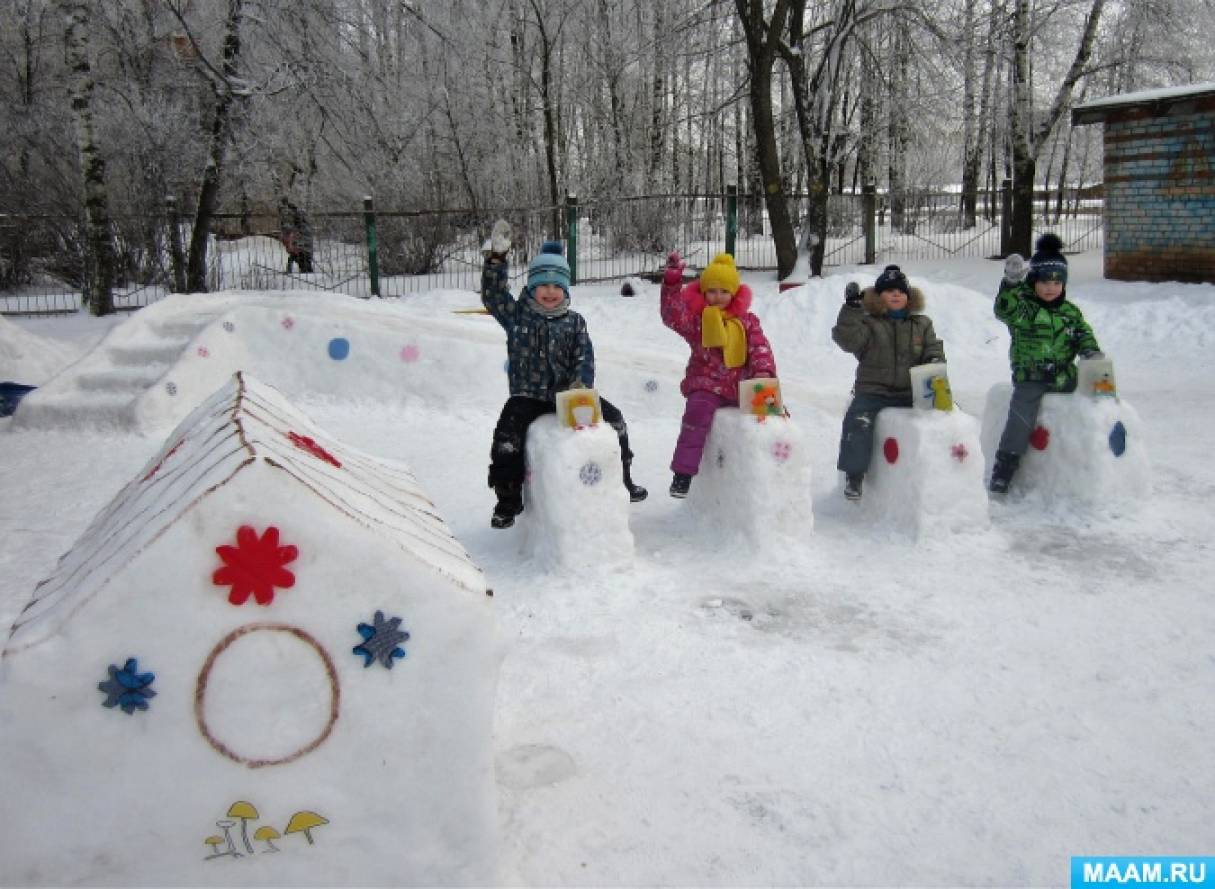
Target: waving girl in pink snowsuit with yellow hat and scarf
[(714, 315)]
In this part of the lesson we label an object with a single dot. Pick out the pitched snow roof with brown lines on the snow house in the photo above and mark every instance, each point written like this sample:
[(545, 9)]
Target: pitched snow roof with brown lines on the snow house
[(244, 426)]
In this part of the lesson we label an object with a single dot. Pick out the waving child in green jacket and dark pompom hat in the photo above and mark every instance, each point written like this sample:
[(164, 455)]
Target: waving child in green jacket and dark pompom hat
[(1048, 335)]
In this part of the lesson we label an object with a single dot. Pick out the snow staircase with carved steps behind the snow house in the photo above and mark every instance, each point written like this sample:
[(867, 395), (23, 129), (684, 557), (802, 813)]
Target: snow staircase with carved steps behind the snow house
[(103, 389)]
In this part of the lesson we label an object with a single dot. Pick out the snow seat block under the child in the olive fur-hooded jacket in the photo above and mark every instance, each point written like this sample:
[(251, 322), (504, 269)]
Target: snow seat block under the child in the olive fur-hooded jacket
[(926, 477)]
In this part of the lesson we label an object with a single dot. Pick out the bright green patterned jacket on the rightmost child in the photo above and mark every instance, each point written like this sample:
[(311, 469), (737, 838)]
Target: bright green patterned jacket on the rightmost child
[(1047, 337)]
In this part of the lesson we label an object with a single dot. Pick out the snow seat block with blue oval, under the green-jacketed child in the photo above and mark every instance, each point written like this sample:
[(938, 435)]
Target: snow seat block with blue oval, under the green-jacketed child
[(1086, 450)]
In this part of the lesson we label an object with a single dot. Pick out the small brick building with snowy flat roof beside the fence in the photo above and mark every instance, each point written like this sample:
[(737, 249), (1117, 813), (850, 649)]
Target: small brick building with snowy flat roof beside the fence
[(1160, 179)]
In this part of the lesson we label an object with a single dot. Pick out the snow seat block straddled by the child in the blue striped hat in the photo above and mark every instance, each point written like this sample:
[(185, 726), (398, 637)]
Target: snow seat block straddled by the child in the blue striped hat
[(575, 503)]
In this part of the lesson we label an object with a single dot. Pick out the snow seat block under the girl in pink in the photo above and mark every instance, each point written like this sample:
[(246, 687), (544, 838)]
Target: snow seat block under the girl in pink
[(755, 480)]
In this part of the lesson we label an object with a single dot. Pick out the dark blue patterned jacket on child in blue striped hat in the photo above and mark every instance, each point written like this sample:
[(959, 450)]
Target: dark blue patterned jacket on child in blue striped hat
[(546, 355)]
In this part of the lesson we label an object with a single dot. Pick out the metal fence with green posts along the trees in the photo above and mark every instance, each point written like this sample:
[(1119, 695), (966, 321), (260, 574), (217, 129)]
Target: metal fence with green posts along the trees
[(377, 253)]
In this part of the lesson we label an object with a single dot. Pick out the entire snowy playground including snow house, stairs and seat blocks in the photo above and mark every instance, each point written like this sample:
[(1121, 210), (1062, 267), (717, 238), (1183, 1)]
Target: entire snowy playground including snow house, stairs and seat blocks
[(262, 632)]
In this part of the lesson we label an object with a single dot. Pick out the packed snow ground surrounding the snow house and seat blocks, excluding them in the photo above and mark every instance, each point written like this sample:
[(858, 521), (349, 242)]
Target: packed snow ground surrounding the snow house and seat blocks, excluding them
[(867, 710)]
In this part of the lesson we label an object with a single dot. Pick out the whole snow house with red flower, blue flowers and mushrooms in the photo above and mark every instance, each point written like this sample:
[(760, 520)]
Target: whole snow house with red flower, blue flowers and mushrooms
[(263, 616)]
